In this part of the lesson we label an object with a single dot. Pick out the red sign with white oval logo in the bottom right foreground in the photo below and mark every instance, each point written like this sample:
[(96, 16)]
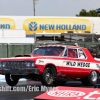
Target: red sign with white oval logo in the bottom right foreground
[(71, 93)]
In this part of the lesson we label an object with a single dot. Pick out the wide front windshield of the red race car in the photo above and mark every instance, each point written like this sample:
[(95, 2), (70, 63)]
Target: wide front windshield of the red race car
[(48, 51)]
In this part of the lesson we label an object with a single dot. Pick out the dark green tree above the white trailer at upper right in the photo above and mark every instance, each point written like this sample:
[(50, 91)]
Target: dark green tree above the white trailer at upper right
[(91, 13)]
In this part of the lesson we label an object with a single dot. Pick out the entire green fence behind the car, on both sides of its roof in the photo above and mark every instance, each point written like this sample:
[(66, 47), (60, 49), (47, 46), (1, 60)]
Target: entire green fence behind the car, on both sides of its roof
[(10, 50)]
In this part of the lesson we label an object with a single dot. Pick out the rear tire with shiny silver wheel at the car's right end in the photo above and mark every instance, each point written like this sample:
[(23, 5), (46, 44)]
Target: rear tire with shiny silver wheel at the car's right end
[(91, 80)]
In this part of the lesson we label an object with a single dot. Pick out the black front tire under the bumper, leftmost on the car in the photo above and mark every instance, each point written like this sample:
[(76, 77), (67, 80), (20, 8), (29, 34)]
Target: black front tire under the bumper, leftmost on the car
[(11, 80)]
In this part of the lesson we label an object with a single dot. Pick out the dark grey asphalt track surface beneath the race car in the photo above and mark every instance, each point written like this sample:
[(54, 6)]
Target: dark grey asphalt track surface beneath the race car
[(9, 95)]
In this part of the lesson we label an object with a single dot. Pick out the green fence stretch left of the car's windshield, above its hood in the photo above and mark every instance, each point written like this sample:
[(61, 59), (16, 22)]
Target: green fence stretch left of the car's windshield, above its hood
[(10, 50)]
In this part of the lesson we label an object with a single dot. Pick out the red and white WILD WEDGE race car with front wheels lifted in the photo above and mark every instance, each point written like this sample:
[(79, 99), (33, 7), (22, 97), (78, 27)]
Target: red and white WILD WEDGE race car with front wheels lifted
[(52, 65)]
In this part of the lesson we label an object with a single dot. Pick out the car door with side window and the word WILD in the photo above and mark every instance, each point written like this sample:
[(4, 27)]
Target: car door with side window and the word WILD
[(69, 66)]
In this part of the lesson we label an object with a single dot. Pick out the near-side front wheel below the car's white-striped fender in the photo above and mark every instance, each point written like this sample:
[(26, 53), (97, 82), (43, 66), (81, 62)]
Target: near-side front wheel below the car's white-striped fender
[(47, 76)]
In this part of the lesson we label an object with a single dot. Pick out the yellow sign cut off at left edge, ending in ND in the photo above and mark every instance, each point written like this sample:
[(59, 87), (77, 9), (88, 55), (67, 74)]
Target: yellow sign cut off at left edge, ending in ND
[(7, 23)]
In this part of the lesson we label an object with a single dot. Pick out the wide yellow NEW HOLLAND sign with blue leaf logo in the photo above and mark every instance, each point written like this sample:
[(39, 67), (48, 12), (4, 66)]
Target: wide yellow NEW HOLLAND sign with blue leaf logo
[(57, 25)]
